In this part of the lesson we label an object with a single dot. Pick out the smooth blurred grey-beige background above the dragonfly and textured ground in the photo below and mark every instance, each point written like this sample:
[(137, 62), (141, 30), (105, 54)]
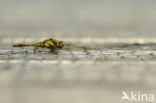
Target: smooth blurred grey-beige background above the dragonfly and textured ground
[(78, 18)]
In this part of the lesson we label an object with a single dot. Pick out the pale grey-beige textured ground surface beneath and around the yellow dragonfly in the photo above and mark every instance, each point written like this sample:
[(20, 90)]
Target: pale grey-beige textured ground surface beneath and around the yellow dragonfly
[(87, 70)]
